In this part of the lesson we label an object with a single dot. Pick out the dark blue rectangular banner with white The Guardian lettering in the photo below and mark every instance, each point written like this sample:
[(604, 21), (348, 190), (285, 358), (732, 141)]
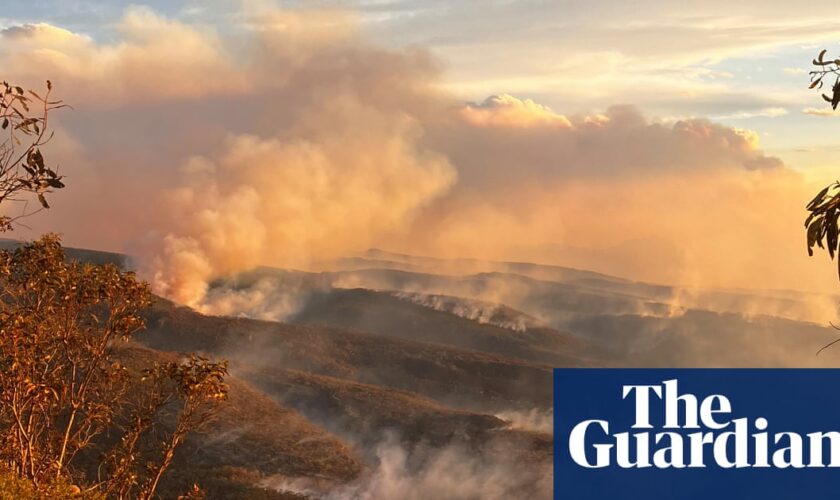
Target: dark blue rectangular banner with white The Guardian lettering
[(650, 434)]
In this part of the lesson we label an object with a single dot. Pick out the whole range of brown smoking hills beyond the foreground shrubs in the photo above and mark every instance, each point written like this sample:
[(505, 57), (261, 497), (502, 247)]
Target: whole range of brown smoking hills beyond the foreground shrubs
[(357, 377)]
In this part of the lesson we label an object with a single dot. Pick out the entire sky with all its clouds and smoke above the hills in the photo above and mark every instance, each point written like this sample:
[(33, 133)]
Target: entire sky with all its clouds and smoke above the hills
[(673, 142)]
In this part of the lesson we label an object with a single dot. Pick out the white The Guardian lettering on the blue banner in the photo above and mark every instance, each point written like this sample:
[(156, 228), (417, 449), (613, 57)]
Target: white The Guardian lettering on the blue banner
[(709, 427)]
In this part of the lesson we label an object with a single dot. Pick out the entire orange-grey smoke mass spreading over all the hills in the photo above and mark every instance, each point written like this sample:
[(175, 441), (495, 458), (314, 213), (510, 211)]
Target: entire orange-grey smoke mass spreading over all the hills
[(287, 138)]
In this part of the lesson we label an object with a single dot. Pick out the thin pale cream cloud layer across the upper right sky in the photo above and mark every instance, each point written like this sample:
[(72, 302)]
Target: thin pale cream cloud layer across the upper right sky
[(657, 55)]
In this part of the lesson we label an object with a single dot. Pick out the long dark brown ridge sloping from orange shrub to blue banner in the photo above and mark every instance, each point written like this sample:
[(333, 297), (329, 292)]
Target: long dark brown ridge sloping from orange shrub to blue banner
[(446, 374)]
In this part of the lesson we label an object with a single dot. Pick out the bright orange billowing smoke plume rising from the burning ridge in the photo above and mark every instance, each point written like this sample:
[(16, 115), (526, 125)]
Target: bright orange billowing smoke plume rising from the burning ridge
[(294, 198)]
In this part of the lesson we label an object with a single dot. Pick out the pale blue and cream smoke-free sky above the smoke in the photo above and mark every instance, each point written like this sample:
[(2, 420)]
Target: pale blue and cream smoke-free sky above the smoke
[(741, 63)]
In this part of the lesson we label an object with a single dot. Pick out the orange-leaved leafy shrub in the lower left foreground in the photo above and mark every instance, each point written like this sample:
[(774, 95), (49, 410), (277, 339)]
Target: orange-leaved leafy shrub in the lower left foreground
[(62, 384)]
